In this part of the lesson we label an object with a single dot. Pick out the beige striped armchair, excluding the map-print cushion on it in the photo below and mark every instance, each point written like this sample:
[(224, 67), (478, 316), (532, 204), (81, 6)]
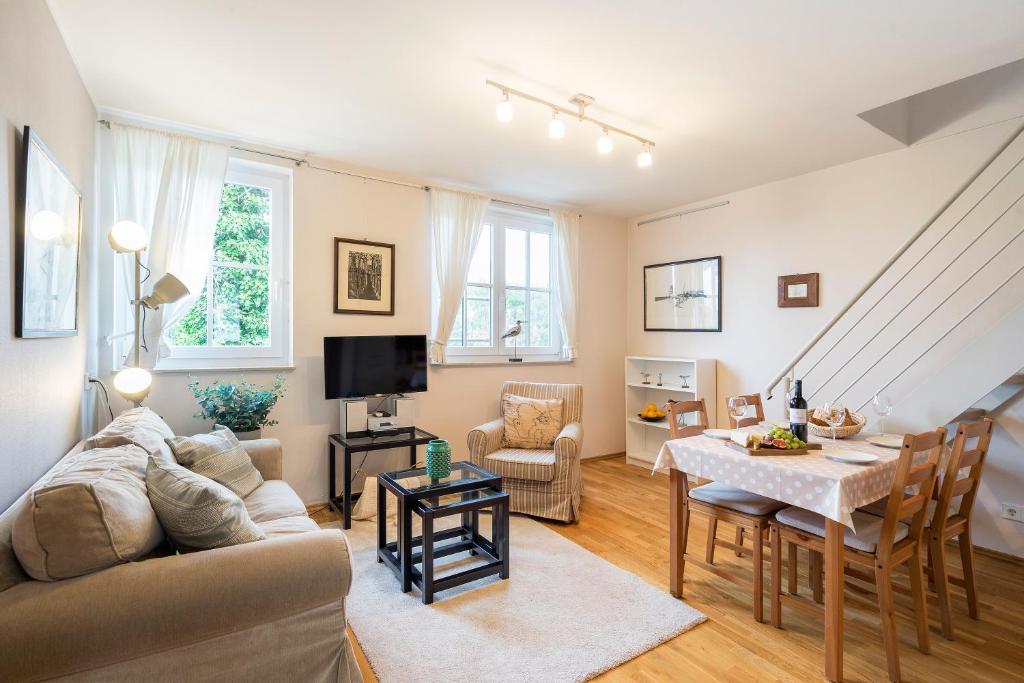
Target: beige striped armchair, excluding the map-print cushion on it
[(542, 483)]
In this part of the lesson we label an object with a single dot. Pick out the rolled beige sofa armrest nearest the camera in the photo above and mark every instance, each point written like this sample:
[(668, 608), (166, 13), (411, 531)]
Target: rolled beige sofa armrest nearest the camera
[(132, 611)]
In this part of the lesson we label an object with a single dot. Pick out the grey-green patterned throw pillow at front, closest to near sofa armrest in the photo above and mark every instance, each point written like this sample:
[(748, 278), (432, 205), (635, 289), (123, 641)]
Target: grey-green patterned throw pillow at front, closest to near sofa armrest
[(196, 513)]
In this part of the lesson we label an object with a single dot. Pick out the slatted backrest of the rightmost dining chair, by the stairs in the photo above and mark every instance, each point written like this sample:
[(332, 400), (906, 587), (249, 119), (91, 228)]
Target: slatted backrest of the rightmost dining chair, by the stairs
[(962, 457)]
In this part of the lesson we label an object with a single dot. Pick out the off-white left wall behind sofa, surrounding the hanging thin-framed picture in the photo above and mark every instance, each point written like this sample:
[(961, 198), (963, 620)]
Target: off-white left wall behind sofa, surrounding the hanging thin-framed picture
[(42, 378)]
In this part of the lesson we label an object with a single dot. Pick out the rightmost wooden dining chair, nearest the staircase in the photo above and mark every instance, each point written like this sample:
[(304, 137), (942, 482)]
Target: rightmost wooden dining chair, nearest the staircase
[(950, 521)]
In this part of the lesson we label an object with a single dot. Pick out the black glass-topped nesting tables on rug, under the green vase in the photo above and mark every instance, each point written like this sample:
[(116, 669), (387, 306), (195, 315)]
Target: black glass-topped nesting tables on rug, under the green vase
[(467, 491)]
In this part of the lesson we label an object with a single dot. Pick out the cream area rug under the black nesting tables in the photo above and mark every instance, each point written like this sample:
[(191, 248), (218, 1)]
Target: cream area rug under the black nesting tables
[(564, 615)]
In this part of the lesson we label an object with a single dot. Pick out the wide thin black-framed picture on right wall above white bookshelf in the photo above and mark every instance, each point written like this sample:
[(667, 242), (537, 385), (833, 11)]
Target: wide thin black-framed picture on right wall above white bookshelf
[(684, 296)]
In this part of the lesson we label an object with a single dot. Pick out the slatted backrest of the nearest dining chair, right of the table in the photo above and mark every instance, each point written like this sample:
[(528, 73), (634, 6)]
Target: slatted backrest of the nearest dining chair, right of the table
[(908, 474)]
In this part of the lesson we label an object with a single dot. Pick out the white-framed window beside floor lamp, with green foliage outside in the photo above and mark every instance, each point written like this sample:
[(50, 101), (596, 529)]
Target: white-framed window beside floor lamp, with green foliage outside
[(242, 317)]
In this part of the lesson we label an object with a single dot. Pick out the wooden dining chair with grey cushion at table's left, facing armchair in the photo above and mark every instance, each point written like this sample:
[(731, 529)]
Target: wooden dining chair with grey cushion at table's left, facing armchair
[(719, 503)]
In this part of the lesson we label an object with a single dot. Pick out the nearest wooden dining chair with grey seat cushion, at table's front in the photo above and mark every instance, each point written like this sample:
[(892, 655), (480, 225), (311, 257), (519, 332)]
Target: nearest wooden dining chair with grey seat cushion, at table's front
[(880, 544)]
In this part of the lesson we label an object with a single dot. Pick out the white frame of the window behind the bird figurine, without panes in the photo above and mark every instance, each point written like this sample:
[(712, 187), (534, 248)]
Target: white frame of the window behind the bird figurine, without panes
[(500, 221)]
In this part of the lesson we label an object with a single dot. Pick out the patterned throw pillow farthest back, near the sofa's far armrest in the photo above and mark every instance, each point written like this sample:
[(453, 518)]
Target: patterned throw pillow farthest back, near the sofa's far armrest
[(220, 457)]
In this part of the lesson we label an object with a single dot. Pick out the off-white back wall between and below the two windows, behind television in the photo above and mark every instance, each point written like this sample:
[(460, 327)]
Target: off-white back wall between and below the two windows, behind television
[(327, 206)]
